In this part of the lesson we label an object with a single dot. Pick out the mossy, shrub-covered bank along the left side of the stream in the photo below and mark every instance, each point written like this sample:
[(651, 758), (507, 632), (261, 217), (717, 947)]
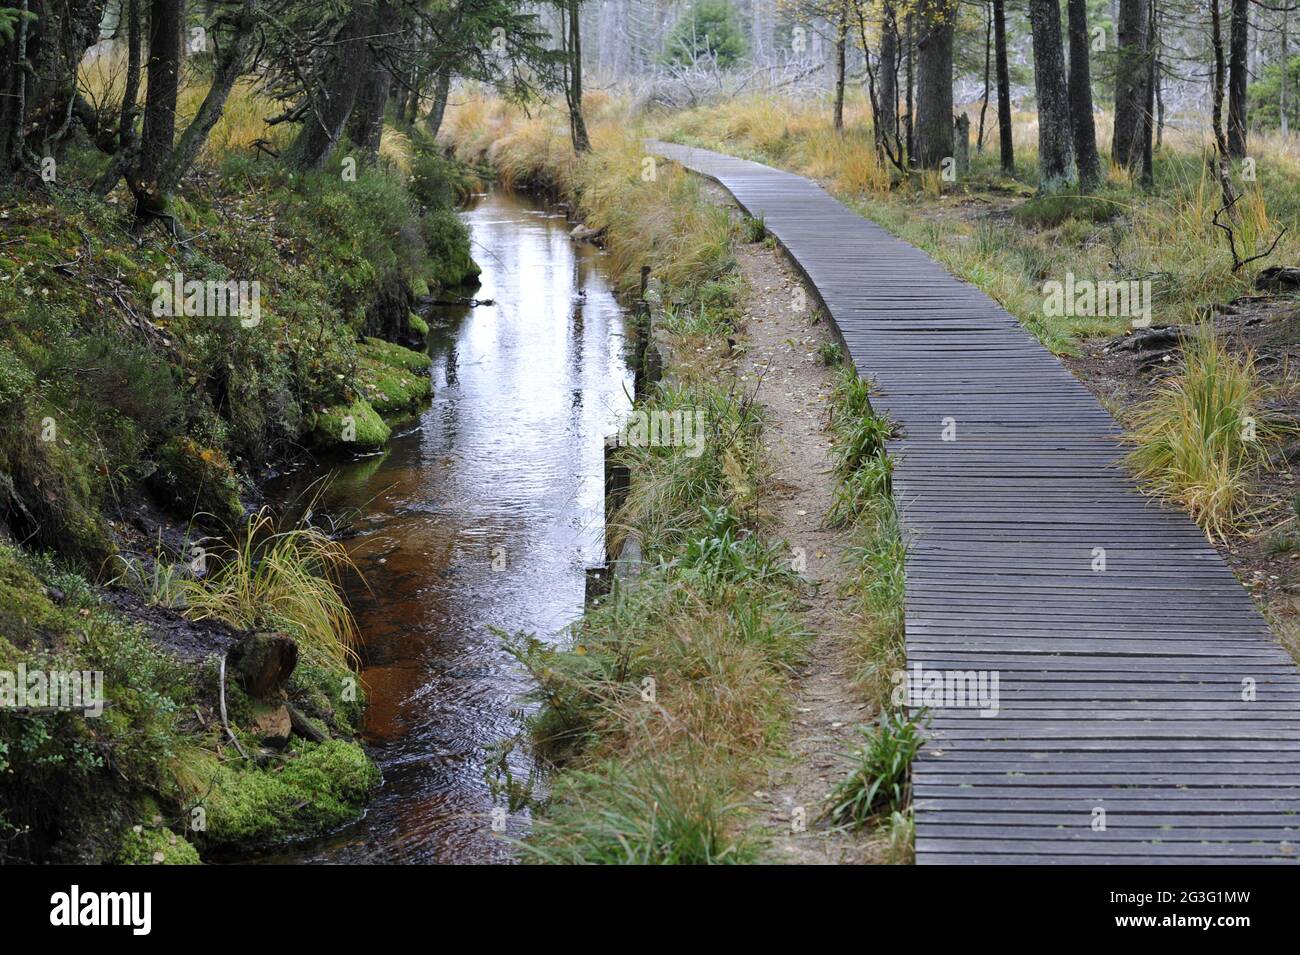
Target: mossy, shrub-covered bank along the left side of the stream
[(131, 419)]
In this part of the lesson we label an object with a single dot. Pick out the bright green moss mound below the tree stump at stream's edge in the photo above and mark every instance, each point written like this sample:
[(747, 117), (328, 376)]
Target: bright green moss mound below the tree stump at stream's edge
[(318, 788)]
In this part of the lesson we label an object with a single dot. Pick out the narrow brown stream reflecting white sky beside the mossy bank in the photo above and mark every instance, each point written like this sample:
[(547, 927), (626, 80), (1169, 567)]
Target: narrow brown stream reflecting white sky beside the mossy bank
[(483, 514)]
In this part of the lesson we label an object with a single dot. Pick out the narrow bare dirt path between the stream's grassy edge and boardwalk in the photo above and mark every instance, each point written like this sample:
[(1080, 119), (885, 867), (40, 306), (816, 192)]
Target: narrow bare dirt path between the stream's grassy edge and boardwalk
[(795, 393)]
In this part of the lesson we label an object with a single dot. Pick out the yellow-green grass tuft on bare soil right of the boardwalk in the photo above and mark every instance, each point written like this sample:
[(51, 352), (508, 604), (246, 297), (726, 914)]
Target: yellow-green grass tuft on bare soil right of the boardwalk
[(1203, 435)]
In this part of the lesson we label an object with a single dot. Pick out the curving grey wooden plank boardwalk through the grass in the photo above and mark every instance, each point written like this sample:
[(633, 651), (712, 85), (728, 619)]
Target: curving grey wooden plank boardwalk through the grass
[(1121, 691)]
